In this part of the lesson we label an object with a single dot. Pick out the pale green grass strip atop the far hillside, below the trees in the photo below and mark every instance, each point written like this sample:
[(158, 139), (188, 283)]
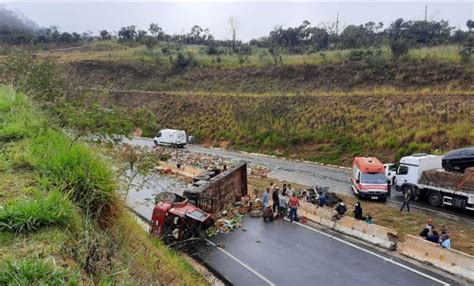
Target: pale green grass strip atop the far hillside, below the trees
[(260, 57)]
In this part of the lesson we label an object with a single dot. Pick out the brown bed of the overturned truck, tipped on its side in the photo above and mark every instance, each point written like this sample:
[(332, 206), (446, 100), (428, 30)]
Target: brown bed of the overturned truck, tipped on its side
[(220, 191)]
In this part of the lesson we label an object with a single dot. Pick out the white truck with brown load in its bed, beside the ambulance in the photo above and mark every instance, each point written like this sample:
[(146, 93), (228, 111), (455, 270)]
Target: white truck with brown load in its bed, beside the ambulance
[(423, 175)]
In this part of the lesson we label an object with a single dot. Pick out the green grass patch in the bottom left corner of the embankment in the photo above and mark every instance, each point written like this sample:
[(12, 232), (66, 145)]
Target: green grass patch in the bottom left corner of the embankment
[(34, 272)]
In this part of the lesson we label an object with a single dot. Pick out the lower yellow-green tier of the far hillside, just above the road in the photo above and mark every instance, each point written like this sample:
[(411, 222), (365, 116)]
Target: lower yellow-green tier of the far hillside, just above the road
[(328, 128)]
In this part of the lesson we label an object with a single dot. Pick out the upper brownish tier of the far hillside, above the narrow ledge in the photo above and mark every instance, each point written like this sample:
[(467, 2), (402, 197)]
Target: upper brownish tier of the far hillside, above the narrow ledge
[(274, 79)]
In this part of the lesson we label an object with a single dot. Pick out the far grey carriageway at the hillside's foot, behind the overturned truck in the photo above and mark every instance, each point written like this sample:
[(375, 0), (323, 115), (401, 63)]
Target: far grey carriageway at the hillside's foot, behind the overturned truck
[(311, 174)]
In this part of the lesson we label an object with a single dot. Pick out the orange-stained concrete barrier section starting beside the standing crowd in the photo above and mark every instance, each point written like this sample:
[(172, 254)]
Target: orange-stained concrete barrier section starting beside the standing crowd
[(375, 234)]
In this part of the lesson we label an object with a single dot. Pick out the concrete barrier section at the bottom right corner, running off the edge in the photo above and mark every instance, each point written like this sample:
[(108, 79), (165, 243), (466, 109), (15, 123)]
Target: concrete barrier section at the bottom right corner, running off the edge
[(449, 260)]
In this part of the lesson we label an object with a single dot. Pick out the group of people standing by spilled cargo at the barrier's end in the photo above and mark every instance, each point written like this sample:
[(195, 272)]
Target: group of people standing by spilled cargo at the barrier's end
[(283, 199)]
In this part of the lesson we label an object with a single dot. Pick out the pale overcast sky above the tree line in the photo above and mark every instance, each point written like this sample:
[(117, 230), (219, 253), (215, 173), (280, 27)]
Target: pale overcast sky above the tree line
[(256, 18)]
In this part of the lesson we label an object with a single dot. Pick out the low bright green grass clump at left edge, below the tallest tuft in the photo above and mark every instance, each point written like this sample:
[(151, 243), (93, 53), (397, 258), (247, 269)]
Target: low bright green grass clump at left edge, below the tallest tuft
[(30, 215)]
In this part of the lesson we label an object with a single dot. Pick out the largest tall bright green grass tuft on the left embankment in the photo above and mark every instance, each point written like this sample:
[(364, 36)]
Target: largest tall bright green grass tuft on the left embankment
[(74, 169)]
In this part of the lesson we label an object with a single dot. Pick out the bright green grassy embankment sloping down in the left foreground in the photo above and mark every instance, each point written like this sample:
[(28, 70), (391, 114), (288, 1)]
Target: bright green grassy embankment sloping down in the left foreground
[(60, 219)]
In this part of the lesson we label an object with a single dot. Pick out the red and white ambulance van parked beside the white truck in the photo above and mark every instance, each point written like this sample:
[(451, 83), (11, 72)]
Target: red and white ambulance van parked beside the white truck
[(368, 178)]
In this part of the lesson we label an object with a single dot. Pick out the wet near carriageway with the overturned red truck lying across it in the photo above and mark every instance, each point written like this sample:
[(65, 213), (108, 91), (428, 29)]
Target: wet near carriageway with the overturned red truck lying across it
[(284, 253)]
